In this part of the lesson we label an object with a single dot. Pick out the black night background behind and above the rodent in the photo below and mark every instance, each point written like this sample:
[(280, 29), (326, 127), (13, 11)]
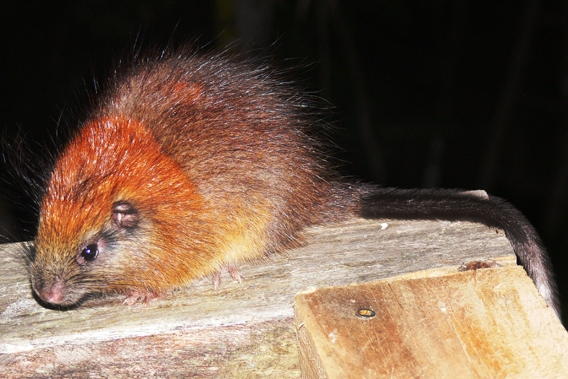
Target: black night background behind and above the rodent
[(459, 94)]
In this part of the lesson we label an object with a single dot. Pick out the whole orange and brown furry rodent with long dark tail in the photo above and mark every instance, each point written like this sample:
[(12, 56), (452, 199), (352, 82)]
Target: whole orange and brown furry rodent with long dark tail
[(188, 163)]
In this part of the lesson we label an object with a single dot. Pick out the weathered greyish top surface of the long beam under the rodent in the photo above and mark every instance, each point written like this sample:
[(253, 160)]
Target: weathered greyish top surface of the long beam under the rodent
[(355, 251)]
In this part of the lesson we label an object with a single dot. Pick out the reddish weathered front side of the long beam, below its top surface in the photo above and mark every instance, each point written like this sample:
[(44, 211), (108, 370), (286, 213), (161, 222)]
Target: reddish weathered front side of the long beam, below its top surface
[(263, 350)]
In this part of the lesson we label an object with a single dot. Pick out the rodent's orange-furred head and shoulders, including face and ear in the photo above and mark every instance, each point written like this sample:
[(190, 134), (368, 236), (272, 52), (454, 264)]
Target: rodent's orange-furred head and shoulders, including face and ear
[(113, 203)]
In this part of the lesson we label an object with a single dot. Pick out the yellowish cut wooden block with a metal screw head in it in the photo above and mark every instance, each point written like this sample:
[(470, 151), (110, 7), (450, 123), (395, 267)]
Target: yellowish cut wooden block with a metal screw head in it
[(489, 323)]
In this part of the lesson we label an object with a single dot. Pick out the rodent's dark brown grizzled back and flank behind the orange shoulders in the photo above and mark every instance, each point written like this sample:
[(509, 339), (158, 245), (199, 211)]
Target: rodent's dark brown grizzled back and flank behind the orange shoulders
[(240, 137)]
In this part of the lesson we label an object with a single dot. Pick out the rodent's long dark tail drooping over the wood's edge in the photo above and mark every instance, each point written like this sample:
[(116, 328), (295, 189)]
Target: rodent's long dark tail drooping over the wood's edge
[(456, 205)]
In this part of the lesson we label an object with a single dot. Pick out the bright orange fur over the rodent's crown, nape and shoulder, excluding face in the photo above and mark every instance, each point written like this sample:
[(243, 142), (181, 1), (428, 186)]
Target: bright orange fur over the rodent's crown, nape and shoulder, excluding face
[(113, 160)]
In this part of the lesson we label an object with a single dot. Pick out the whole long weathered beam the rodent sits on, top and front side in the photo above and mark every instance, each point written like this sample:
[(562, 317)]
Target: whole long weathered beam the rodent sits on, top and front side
[(351, 252)]
